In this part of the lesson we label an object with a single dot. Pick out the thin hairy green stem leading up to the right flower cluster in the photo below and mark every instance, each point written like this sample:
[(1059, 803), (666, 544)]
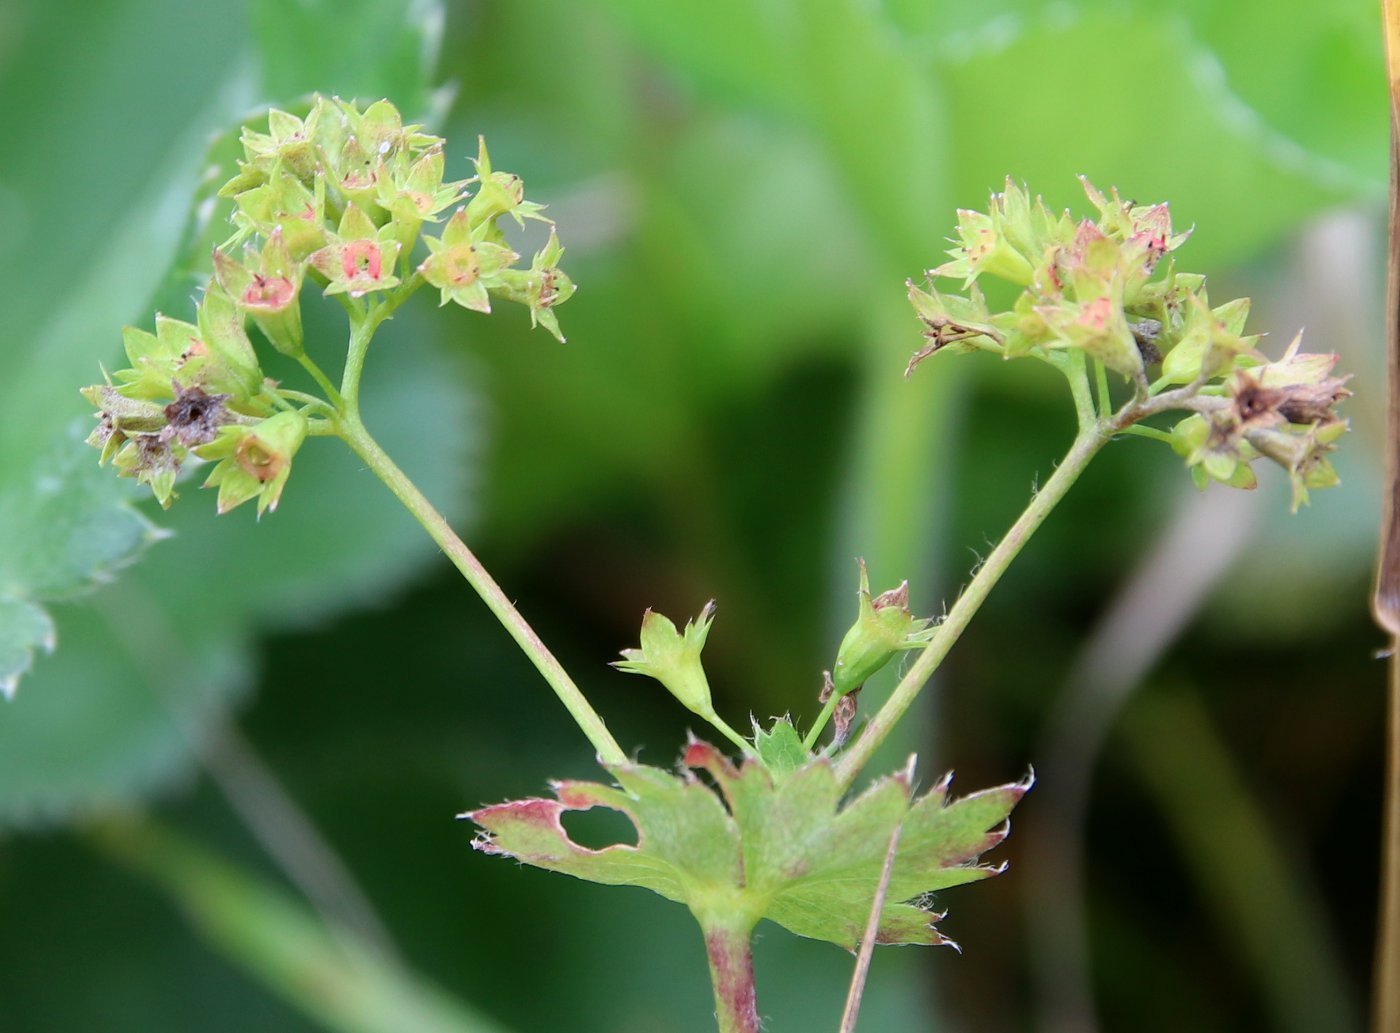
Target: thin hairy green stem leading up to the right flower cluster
[(1084, 449)]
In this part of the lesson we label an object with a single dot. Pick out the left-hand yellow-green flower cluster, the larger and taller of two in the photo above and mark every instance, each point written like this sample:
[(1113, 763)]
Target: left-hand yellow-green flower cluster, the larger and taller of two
[(339, 198)]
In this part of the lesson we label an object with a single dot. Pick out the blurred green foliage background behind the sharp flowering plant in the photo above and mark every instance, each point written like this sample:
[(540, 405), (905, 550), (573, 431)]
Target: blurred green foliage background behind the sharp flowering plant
[(257, 730)]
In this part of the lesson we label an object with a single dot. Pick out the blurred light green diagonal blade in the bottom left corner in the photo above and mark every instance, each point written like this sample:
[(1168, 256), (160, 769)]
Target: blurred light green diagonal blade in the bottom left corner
[(328, 974)]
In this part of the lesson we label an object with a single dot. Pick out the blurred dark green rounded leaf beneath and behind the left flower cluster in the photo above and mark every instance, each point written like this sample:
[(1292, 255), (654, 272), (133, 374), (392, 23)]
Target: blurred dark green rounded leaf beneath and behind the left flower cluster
[(148, 663)]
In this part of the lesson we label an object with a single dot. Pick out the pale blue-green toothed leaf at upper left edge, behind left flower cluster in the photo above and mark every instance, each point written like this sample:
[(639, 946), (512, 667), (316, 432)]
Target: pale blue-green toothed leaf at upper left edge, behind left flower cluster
[(66, 524)]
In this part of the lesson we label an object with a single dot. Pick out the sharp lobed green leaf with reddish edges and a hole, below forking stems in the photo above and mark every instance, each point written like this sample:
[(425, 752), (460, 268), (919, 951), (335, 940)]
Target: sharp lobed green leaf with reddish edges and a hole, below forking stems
[(782, 850)]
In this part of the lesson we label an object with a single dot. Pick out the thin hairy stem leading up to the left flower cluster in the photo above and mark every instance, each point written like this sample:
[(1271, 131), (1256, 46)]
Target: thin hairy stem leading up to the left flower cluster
[(355, 435)]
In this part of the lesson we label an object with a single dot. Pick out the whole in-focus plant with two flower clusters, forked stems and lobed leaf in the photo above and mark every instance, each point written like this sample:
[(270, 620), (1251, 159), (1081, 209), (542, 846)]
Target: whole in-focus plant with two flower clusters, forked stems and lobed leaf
[(353, 204)]
